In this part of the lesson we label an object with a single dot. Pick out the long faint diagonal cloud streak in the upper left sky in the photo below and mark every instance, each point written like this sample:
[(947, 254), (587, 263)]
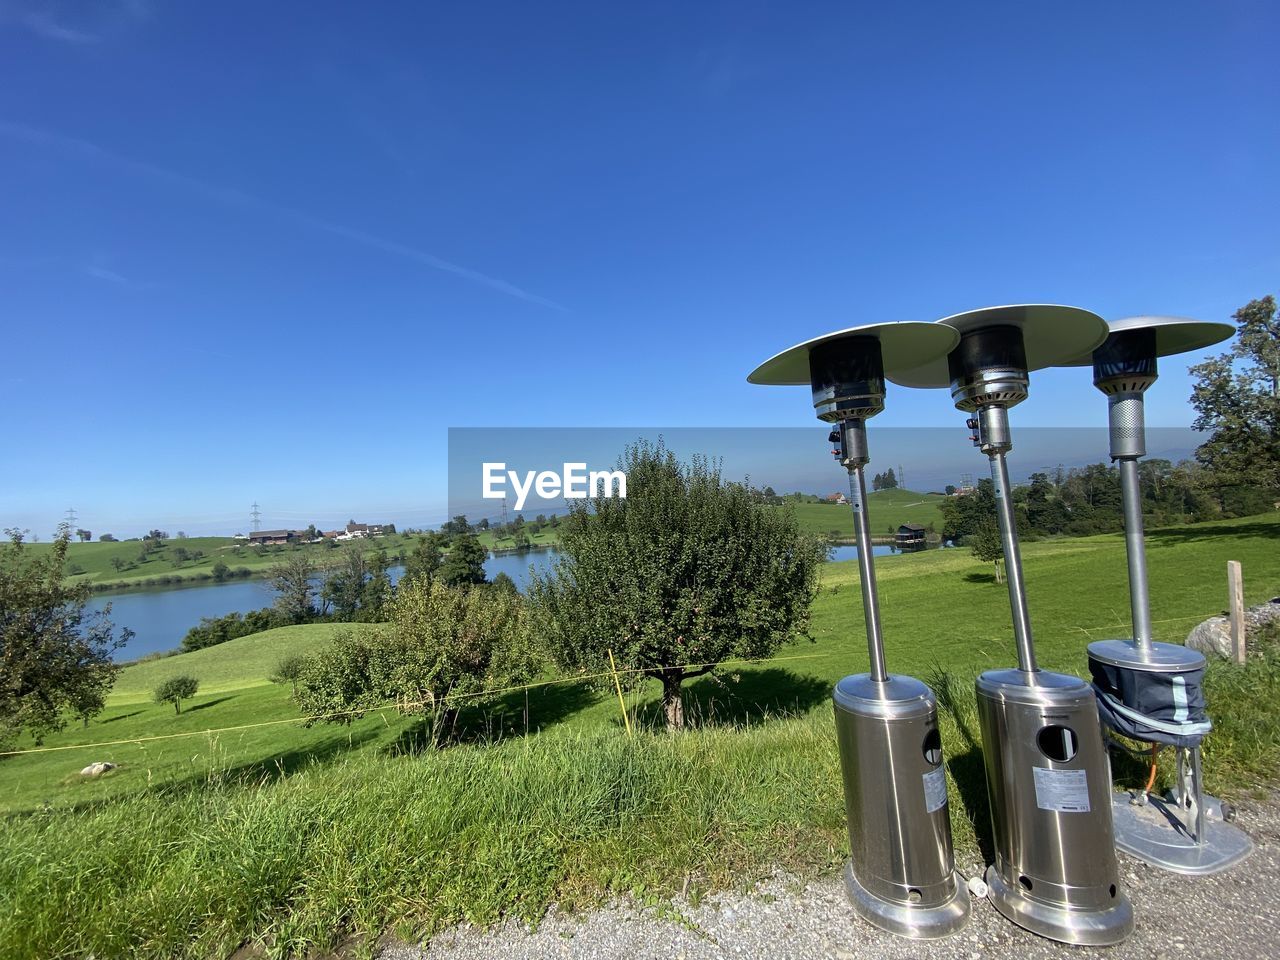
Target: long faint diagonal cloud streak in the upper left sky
[(239, 198)]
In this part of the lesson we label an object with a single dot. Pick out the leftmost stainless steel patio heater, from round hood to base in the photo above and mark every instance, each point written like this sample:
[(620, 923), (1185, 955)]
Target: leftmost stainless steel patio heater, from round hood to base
[(902, 875)]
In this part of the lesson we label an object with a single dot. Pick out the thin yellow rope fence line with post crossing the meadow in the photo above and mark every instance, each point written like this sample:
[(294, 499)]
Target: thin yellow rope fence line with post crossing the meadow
[(432, 701)]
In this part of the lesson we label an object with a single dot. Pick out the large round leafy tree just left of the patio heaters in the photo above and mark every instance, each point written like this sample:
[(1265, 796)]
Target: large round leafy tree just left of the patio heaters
[(685, 573)]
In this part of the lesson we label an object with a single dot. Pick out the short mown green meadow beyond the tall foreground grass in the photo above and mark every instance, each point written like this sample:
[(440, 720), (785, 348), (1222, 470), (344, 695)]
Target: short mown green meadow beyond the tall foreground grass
[(940, 610)]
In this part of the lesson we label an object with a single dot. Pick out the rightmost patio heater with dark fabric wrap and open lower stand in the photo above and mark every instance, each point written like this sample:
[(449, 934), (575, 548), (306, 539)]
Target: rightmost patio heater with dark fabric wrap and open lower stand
[(1148, 691)]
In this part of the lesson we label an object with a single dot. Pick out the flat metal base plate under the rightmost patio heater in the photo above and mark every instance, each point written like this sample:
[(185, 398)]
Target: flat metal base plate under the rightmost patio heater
[(1154, 833)]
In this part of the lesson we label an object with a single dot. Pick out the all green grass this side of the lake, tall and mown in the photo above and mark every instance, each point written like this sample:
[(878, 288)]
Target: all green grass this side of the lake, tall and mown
[(295, 839)]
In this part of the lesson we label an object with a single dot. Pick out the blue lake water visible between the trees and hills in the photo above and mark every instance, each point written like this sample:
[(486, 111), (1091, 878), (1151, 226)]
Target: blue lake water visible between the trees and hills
[(161, 619)]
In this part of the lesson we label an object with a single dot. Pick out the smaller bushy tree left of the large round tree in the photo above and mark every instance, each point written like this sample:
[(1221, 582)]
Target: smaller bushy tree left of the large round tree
[(446, 648)]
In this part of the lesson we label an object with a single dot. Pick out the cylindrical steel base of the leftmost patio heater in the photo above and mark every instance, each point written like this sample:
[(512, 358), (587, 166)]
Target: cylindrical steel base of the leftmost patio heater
[(902, 876)]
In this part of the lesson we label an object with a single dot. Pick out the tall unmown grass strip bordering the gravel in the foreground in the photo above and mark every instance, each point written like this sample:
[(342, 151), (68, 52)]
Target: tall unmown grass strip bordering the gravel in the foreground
[(409, 844)]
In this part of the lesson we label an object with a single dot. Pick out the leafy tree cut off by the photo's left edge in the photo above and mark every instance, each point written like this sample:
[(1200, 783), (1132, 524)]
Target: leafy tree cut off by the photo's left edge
[(54, 657)]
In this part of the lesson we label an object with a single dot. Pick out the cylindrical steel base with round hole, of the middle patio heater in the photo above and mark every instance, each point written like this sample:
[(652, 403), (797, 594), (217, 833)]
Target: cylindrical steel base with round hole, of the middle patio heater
[(1050, 785)]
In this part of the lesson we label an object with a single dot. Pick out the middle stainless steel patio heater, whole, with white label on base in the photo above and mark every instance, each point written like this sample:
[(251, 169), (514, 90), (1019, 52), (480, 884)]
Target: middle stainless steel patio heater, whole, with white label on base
[(1048, 772)]
